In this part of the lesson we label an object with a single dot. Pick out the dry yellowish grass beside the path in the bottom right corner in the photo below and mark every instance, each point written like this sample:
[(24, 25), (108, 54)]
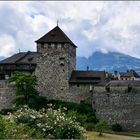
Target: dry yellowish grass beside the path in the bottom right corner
[(94, 136)]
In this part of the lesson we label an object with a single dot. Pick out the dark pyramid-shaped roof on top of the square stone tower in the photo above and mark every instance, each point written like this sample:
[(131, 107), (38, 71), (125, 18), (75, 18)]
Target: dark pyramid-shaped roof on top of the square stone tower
[(56, 35)]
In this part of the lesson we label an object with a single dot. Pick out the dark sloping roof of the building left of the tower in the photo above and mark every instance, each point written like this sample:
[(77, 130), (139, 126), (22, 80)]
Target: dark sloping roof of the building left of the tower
[(22, 57)]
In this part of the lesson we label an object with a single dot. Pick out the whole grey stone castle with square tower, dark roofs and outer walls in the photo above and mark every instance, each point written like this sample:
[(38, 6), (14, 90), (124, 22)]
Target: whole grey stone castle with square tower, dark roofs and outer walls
[(54, 64)]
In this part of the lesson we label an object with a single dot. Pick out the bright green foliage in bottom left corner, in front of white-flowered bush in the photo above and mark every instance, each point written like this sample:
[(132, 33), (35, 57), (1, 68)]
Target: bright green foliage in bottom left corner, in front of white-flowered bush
[(12, 130)]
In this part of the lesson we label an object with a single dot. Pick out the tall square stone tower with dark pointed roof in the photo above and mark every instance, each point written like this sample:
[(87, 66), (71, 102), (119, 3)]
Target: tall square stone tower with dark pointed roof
[(56, 59)]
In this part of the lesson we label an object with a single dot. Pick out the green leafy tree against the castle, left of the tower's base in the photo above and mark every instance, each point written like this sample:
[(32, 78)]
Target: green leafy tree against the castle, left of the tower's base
[(25, 88)]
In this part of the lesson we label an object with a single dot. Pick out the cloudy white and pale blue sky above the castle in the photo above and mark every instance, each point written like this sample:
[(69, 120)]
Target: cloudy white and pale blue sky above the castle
[(92, 25)]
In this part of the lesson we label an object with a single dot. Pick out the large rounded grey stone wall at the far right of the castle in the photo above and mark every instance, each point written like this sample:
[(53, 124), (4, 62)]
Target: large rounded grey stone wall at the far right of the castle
[(118, 106)]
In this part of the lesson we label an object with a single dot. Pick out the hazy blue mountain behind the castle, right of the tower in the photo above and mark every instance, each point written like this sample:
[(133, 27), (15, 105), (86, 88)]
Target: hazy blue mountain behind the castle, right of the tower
[(110, 62)]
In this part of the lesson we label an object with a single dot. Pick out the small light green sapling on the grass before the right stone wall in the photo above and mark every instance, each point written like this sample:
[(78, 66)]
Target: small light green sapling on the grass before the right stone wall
[(100, 127)]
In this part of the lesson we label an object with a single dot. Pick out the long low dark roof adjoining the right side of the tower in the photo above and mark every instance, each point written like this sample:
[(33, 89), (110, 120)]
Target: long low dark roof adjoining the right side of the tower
[(87, 77)]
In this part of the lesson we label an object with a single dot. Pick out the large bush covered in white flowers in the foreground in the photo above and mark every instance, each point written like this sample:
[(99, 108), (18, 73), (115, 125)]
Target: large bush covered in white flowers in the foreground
[(53, 123)]
